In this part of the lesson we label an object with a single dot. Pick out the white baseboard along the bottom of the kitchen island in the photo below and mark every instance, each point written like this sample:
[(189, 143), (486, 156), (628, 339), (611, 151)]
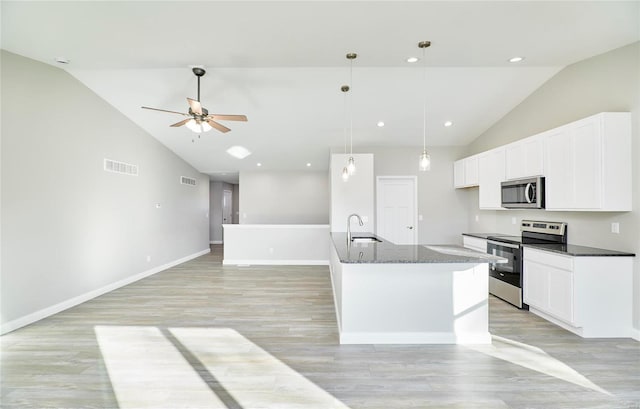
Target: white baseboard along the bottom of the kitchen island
[(406, 338)]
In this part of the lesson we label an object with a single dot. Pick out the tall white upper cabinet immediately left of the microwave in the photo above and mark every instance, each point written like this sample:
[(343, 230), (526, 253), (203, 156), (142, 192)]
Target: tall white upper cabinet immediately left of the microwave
[(491, 169)]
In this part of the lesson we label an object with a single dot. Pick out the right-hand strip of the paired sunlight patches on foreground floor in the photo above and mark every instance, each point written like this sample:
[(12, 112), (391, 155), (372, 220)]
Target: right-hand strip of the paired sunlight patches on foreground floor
[(255, 378)]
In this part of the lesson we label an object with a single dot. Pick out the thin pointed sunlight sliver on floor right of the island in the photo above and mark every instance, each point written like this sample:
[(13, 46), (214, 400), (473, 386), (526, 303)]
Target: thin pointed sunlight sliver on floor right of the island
[(535, 359)]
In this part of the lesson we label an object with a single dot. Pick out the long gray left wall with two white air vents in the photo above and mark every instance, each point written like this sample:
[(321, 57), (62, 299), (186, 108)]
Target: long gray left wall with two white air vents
[(68, 227)]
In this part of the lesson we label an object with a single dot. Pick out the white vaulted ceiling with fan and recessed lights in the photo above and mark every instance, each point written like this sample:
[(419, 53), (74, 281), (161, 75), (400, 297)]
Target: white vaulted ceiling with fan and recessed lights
[(283, 63)]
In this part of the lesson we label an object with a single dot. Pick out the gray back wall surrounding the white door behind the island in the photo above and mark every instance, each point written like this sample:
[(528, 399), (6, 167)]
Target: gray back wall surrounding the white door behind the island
[(441, 223)]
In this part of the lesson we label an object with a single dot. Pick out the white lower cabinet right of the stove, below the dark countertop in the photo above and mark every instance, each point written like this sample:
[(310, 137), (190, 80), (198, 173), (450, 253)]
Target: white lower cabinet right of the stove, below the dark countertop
[(589, 296)]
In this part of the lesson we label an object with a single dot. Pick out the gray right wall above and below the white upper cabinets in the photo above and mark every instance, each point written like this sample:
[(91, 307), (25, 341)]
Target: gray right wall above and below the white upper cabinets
[(608, 82)]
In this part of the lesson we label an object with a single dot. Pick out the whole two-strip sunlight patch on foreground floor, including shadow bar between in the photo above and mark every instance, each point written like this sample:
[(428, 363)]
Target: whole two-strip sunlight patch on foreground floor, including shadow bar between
[(201, 367)]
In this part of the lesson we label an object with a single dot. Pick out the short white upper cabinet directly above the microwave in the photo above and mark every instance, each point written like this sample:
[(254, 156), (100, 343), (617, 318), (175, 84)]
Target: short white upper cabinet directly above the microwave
[(524, 158)]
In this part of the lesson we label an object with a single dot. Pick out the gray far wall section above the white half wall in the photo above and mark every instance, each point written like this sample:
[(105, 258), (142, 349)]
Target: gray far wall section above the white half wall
[(300, 197)]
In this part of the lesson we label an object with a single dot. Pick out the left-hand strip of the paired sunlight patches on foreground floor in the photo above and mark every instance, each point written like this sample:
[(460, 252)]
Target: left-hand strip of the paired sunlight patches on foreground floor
[(147, 371)]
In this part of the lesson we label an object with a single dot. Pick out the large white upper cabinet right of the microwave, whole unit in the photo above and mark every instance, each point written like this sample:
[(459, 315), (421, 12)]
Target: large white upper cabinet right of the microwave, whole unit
[(588, 164)]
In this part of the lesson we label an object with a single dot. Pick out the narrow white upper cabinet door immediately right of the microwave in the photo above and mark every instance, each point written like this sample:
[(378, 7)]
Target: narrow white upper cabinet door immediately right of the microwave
[(559, 183)]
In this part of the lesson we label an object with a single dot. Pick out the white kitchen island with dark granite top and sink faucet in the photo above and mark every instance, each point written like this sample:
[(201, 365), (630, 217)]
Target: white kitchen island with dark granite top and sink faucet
[(409, 294)]
